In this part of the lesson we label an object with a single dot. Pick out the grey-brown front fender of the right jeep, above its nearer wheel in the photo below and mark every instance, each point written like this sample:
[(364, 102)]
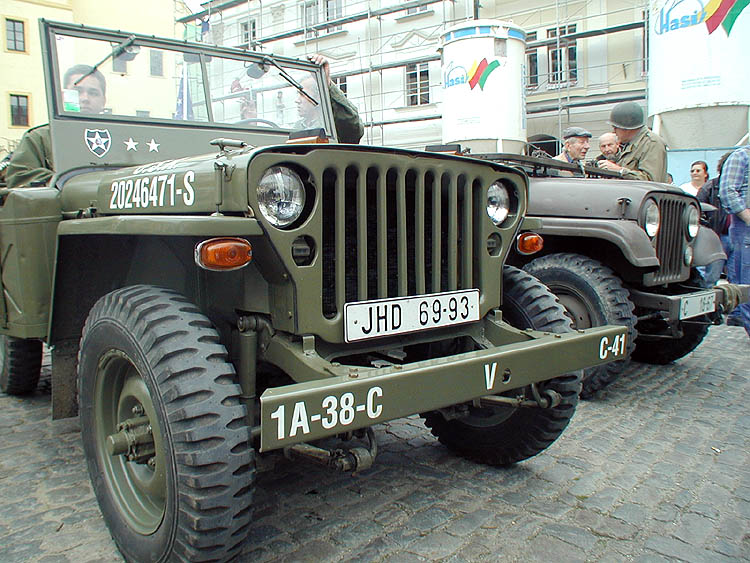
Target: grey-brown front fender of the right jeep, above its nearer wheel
[(628, 236)]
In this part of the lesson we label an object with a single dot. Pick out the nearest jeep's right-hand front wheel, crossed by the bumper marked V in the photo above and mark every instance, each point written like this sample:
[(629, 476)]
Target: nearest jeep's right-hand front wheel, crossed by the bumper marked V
[(500, 435)]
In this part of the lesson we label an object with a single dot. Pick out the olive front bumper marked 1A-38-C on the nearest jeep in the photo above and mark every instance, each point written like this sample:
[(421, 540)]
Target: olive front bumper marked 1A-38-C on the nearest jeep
[(361, 397)]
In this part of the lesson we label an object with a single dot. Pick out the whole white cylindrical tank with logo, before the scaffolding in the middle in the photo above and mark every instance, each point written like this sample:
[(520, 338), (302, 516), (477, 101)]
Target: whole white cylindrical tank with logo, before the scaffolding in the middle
[(484, 102)]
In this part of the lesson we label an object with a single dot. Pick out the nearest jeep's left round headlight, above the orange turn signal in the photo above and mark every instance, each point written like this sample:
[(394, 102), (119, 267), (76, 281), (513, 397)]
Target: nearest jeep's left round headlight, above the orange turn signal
[(281, 196)]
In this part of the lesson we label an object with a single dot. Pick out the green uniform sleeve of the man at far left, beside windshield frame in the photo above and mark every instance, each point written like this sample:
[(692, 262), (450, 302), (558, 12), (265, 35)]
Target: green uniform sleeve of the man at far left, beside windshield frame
[(32, 159)]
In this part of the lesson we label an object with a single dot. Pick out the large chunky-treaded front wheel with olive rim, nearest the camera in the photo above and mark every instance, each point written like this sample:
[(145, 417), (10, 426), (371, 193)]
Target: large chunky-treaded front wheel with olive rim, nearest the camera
[(164, 432)]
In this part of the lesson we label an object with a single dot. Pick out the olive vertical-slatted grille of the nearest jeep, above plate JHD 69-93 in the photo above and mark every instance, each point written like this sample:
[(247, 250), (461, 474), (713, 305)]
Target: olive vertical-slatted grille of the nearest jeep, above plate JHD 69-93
[(395, 231)]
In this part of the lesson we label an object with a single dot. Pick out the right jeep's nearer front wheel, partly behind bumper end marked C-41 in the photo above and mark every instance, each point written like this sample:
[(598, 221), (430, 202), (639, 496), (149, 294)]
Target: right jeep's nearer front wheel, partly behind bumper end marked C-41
[(593, 296)]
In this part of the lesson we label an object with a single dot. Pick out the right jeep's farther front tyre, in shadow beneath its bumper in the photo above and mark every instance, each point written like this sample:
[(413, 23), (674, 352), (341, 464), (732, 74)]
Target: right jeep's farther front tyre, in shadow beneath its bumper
[(662, 351)]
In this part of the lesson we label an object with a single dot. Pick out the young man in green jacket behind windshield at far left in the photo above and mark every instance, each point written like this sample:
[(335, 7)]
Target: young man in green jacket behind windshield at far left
[(32, 159)]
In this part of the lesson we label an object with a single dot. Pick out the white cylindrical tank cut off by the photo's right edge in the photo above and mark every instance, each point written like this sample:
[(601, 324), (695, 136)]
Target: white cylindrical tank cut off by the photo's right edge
[(698, 78)]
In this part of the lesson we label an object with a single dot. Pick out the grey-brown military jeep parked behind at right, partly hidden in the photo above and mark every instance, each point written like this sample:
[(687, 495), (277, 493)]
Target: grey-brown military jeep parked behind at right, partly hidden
[(623, 252)]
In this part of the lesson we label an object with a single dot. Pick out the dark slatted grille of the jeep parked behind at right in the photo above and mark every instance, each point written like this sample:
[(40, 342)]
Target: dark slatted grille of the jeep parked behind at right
[(670, 240)]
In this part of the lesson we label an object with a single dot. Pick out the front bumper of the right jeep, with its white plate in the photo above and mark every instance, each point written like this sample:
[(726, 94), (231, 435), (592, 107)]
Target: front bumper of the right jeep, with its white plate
[(685, 306)]
